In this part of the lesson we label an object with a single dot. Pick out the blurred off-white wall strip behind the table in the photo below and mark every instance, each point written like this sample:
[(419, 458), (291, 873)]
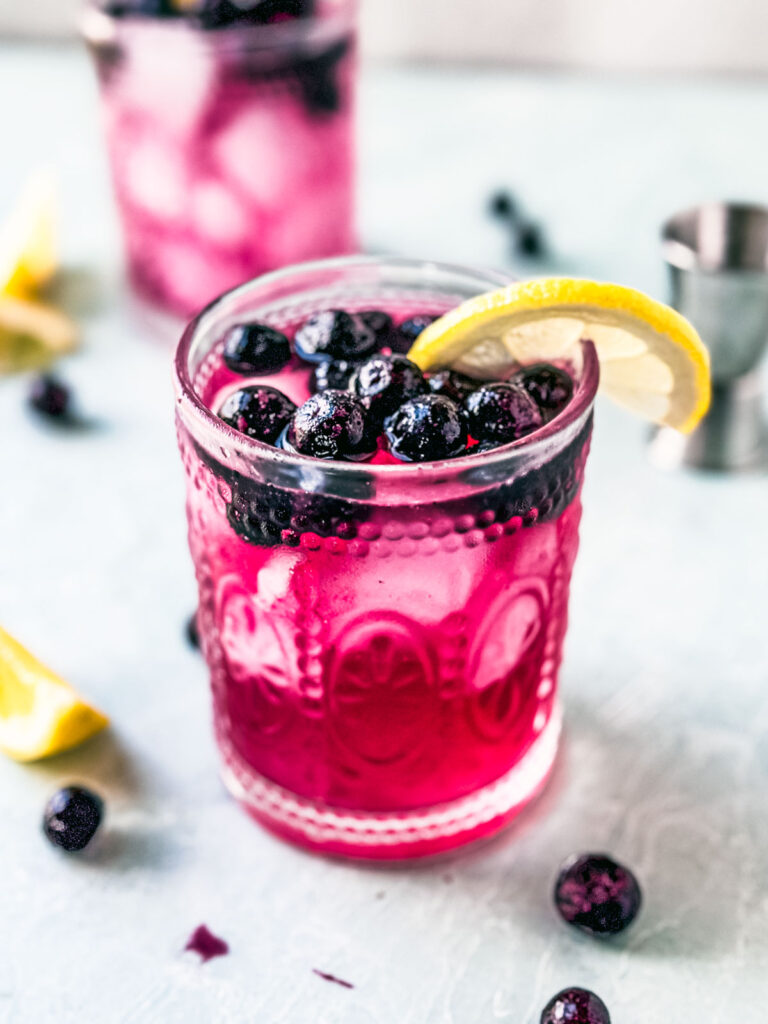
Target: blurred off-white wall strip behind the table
[(671, 35)]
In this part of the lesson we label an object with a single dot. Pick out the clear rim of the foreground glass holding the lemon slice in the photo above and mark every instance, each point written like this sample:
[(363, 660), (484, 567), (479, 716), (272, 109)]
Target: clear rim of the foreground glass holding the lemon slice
[(189, 402)]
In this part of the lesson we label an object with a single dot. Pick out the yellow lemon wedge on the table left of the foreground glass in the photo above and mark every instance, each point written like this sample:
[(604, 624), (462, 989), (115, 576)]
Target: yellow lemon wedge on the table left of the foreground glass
[(40, 714)]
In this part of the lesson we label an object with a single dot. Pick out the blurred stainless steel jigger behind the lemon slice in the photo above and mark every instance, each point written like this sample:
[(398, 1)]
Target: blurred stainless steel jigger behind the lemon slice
[(717, 255)]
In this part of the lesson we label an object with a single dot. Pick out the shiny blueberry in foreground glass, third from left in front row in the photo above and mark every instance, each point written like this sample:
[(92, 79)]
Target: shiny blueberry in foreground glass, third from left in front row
[(428, 429)]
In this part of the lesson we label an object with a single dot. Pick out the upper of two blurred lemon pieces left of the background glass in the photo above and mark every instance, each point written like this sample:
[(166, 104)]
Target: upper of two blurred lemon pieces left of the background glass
[(28, 239)]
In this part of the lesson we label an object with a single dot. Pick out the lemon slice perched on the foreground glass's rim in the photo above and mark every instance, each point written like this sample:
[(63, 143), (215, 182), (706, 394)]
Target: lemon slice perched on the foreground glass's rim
[(652, 360)]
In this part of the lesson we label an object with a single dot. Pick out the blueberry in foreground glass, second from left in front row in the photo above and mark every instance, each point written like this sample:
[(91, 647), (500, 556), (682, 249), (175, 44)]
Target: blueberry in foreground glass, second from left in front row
[(331, 425)]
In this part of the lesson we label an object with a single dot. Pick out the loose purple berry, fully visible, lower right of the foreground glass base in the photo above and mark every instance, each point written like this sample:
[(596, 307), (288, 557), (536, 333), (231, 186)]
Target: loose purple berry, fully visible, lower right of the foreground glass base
[(598, 895)]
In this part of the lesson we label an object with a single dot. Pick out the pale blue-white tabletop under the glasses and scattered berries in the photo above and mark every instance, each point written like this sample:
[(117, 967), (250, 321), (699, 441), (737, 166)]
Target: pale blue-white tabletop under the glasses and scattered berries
[(666, 762)]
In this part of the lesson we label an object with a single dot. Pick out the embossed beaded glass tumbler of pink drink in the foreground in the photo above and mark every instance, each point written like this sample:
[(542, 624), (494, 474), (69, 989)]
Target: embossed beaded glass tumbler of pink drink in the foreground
[(385, 648)]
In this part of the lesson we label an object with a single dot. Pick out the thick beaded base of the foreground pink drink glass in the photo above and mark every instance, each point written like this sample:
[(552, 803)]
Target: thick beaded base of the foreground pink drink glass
[(394, 836)]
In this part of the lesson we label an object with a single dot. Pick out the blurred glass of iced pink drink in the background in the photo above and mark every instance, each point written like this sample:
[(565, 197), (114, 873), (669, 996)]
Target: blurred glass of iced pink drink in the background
[(231, 141)]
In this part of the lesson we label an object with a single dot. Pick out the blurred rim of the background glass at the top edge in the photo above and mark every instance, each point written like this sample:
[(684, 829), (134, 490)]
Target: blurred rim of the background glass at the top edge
[(97, 24)]
